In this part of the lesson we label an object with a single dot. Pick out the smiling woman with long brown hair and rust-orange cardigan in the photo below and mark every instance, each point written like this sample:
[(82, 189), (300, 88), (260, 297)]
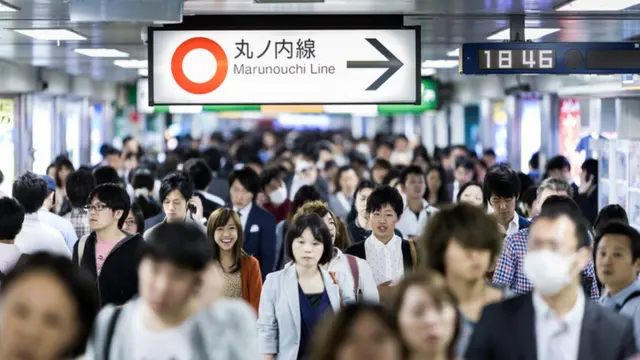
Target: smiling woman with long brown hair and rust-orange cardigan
[(242, 271)]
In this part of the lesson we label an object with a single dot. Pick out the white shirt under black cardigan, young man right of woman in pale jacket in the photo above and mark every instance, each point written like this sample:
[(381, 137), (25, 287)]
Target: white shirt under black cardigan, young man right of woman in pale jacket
[(386, 261)]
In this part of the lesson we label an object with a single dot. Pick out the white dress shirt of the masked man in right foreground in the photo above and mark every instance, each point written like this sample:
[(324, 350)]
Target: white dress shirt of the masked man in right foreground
[(547, 324)]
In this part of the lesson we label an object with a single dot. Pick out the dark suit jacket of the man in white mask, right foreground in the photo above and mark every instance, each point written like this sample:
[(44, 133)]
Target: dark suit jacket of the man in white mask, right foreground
[(506, 331)]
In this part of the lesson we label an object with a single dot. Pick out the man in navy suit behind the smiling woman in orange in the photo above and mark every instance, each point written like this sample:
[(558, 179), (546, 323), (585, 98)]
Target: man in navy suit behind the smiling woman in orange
[(258, 224)]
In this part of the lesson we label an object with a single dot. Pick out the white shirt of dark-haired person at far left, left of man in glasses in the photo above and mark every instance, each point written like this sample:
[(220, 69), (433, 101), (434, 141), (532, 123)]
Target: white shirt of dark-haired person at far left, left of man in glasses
[(37, 236)]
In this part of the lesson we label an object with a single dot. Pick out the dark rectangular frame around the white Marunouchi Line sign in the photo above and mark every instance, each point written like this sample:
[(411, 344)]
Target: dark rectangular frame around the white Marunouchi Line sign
[(418, 47)]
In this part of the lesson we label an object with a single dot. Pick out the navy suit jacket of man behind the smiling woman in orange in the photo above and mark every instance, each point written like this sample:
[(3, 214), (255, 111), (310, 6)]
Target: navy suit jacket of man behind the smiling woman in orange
[(260, 238)]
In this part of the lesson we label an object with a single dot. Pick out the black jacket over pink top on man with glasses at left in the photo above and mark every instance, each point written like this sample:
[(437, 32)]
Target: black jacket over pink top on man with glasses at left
[(118, 280)]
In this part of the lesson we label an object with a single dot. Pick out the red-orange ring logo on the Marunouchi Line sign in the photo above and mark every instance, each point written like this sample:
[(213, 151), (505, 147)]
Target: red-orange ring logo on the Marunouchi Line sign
[(191, 86)]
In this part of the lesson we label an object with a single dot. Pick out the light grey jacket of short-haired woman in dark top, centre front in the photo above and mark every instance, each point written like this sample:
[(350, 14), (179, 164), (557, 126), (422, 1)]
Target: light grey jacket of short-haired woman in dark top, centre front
[(279, 323)]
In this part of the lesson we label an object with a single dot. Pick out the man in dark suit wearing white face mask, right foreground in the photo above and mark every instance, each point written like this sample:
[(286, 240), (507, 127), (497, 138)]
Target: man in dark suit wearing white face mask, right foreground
[(555, 321)]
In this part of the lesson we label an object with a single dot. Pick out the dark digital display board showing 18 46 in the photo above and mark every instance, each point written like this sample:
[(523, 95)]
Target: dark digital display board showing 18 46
[(550, 58)]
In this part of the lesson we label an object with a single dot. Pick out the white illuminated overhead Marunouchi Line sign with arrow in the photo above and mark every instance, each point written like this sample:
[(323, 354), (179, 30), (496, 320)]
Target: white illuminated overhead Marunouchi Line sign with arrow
[(284, 67)]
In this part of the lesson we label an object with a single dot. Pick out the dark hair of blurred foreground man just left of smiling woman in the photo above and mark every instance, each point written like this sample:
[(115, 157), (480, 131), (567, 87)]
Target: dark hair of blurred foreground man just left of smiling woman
[(183, 244)]
